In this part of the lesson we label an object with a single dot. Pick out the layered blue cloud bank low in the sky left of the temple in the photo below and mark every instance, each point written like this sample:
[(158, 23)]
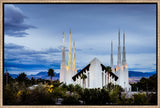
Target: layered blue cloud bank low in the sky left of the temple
[(20, 58)]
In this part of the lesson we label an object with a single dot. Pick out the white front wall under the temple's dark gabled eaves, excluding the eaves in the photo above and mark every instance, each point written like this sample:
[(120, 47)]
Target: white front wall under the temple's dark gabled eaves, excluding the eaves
[(95, 78)]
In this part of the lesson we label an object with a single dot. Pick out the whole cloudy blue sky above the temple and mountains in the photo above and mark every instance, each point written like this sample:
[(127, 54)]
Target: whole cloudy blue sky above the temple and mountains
[(33, 35)]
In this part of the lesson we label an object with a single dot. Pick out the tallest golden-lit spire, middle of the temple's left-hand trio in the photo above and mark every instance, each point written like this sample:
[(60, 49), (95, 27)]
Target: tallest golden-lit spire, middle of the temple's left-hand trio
[(70, 52)]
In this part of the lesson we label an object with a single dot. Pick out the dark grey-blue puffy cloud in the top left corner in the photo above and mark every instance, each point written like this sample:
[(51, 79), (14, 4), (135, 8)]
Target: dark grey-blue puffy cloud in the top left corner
[(14, 22)]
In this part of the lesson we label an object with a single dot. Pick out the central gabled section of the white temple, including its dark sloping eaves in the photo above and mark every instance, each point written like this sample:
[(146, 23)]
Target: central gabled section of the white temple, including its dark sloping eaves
[(97, 75)]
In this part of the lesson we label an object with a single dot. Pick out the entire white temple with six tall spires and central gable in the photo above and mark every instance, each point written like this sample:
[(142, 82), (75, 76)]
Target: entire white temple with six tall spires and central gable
[(97, 75)]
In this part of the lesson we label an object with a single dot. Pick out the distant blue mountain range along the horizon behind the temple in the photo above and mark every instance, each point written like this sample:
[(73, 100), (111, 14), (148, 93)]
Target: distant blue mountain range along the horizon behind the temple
[(44, 75)]
